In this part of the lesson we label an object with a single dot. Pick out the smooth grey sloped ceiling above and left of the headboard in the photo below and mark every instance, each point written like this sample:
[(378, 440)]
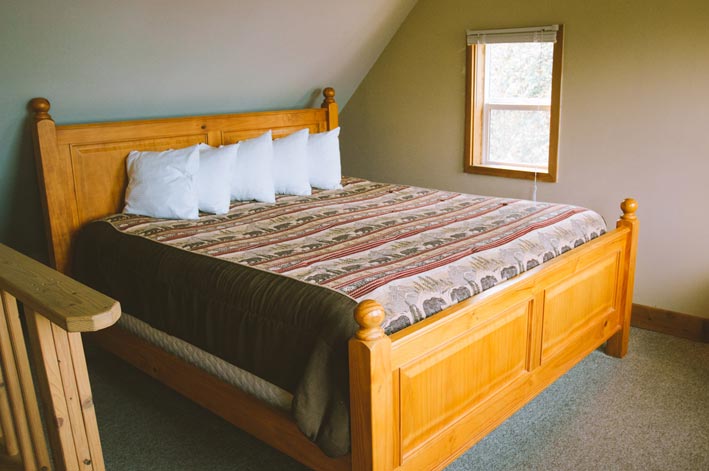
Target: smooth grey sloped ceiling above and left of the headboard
[(108, 60)]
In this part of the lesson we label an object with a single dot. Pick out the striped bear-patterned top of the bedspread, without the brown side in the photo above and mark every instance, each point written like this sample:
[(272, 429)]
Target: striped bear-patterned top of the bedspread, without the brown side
[(415, 250)]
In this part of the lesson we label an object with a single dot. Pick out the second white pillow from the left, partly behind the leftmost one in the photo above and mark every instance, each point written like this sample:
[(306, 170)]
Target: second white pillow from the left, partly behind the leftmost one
[(216, 165)]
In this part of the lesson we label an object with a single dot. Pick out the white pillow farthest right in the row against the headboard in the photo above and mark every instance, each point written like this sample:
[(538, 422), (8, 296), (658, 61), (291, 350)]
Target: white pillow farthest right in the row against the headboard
[(324, 160)]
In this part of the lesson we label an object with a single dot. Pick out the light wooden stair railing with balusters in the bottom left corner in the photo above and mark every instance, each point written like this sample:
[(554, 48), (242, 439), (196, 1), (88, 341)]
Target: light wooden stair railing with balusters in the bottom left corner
[(56, 310)]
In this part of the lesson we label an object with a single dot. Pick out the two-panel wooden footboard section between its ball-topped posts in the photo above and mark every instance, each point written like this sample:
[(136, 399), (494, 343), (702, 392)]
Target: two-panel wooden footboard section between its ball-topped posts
[(459, 374)]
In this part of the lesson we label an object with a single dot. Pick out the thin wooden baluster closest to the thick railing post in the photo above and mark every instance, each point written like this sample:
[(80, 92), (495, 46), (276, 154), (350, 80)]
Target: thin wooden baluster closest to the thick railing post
[(29, 396)]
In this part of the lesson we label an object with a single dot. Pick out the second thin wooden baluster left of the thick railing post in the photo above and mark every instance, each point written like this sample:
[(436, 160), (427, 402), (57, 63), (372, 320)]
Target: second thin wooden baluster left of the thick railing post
[(14, 393)]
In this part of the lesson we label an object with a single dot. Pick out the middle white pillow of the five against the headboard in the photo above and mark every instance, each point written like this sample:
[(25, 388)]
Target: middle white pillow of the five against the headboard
[(252, 177)]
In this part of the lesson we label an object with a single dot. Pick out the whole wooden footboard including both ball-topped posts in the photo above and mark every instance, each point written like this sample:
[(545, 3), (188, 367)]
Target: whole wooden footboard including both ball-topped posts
[(424, 395)]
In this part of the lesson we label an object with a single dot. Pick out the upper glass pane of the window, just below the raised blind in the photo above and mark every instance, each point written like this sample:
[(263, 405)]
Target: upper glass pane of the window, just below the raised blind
[(518, 70)]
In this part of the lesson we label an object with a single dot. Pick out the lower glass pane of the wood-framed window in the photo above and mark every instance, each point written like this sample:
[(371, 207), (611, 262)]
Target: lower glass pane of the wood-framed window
[(519, 137)]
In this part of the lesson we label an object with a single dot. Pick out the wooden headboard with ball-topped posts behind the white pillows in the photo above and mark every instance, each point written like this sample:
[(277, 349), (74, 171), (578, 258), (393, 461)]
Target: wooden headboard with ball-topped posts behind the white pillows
[(81, 167)]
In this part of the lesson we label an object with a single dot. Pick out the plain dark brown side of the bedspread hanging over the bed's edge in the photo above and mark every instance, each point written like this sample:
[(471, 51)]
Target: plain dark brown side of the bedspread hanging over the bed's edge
[(291, 333)]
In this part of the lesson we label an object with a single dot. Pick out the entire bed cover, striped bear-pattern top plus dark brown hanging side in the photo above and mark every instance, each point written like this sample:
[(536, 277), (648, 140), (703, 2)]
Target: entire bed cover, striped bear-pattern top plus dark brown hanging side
[(271, 288)]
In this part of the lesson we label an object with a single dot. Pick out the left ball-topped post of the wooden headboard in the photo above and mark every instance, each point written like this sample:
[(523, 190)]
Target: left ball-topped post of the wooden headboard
[(55, 186)]
